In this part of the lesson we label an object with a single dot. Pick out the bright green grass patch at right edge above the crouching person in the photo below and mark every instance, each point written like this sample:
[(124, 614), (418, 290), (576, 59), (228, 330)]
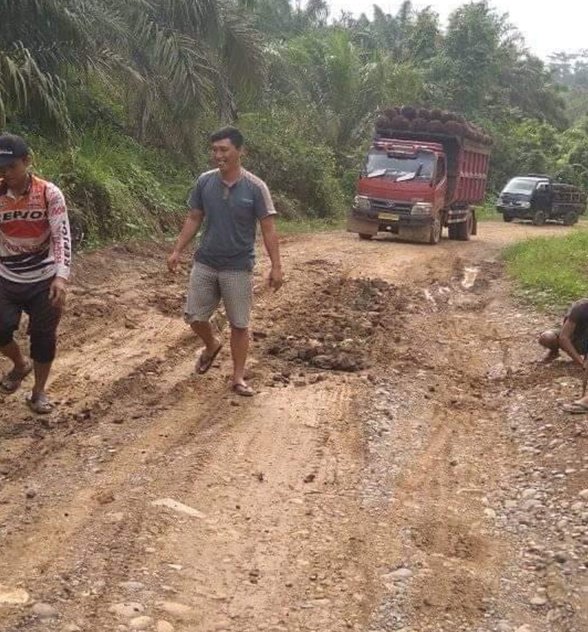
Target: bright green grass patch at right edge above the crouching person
[(551, 271)]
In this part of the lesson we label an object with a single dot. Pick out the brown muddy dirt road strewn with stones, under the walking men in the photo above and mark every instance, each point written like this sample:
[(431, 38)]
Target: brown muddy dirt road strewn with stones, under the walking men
[(404, 466)]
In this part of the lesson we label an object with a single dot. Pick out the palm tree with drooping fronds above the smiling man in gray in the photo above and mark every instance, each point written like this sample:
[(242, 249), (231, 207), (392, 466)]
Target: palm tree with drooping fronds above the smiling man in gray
[(190, 54)]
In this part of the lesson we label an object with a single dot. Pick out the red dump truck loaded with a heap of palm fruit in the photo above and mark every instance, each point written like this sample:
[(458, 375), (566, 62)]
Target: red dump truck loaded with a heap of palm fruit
[(424, 170)]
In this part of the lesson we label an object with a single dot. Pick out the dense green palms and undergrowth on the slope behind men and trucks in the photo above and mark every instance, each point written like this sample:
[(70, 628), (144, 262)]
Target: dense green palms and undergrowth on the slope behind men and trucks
[(118, 98)]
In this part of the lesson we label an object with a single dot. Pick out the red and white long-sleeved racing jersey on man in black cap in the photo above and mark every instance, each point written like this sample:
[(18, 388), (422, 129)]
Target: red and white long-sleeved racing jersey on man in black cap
[(35, 242)]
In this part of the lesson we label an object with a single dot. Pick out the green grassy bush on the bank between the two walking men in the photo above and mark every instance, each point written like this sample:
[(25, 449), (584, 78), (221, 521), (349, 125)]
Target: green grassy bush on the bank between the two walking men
[(115, 188)]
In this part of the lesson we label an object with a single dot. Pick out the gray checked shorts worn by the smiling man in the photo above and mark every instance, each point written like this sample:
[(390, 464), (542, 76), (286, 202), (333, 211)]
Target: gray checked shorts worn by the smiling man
[(208, 286)]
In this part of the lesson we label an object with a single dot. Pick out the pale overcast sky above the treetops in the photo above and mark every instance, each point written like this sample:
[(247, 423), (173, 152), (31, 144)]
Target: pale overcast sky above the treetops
[(546, 26)]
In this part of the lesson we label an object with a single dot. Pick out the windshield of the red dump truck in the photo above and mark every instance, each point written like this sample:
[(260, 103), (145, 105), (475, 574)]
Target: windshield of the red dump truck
[(381, 164)]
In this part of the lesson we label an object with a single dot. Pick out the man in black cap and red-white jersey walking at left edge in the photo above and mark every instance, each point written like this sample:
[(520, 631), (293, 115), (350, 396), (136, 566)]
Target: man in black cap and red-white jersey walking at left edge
[(35, 259)]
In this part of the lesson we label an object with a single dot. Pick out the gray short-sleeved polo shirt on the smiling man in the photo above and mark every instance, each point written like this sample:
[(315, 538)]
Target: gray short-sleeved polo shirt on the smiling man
[(230, 219)]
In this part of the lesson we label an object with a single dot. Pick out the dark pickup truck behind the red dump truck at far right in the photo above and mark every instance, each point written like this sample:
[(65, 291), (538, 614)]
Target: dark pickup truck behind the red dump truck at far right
[(540, 199)]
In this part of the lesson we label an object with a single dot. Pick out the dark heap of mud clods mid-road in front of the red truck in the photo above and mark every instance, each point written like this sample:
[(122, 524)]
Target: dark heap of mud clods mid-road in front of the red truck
[(343, 325)]
